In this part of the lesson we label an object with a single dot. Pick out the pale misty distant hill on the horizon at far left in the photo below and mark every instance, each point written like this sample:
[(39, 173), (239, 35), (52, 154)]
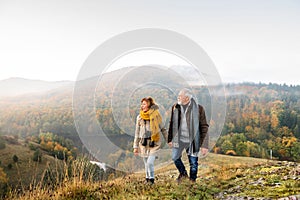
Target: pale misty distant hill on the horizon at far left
[(19, 86)]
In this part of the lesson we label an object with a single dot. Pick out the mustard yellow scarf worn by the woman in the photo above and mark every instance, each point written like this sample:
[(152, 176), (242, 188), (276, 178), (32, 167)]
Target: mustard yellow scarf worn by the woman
[(155, 119)]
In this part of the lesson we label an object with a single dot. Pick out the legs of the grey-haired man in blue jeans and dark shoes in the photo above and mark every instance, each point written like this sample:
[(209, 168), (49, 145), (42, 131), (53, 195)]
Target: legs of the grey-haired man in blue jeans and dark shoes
[(176, 157)]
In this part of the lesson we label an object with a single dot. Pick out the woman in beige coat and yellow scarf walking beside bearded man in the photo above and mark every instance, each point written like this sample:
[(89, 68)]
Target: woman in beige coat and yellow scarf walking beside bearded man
[(147, 140)]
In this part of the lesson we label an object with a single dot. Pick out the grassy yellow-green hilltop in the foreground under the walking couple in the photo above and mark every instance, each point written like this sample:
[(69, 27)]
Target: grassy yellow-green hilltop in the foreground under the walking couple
[(220, 177)]
